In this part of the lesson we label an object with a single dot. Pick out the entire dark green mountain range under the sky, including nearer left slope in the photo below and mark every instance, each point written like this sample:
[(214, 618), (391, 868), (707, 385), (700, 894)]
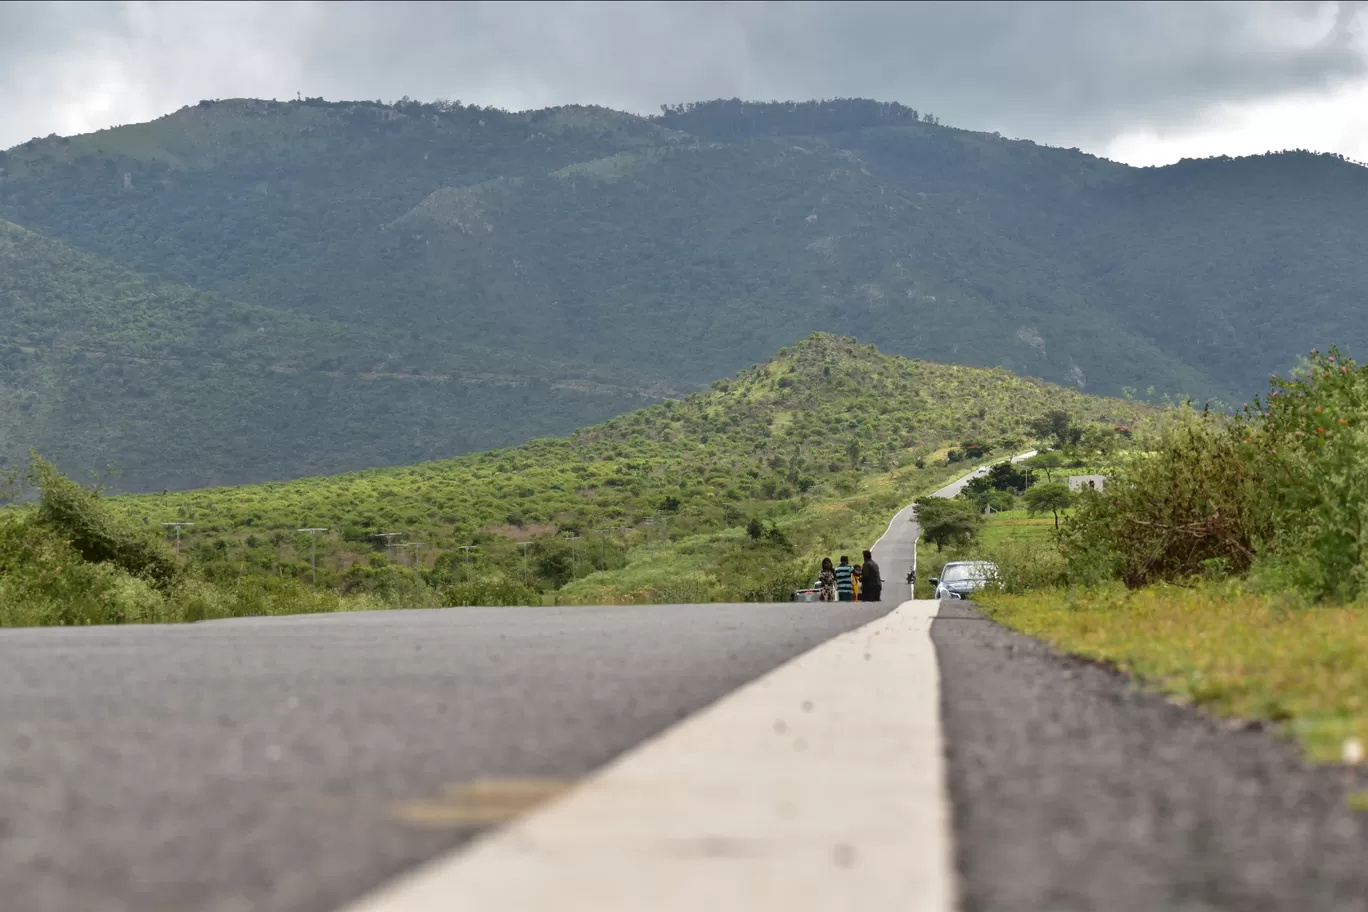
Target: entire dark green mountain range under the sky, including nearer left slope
[(304, 288)]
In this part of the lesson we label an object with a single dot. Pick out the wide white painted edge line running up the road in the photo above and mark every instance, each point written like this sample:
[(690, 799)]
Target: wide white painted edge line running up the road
[(817, 787)]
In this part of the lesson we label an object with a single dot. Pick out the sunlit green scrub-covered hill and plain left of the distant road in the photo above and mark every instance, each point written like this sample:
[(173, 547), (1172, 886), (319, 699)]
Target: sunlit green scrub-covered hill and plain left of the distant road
[(730, 494)]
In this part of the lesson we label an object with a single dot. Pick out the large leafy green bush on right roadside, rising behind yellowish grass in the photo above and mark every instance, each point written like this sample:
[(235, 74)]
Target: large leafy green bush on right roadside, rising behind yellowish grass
[(1277, 492)]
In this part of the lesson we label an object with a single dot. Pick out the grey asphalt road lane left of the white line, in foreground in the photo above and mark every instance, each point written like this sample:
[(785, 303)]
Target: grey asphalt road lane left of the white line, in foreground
[(261, 765)]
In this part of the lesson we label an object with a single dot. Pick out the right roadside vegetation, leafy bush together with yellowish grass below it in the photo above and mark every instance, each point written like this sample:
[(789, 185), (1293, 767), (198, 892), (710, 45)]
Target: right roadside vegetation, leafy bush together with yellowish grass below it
[(1226, 564)]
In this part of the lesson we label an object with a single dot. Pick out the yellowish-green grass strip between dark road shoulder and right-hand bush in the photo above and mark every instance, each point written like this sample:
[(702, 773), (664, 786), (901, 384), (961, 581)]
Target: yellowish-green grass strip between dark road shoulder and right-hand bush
[(1250, 657)]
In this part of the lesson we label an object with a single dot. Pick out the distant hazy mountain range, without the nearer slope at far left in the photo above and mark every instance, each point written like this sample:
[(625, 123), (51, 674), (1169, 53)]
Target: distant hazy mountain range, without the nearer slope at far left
[(675, 250)]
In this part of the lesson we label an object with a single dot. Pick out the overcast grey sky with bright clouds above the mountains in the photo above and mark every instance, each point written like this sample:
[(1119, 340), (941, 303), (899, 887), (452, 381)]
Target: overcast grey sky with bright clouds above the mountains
[(1142, 83)]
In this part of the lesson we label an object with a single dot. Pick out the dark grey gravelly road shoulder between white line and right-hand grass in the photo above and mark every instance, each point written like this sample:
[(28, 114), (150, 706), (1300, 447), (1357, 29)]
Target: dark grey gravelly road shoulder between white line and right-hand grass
[(1075, 790)]
